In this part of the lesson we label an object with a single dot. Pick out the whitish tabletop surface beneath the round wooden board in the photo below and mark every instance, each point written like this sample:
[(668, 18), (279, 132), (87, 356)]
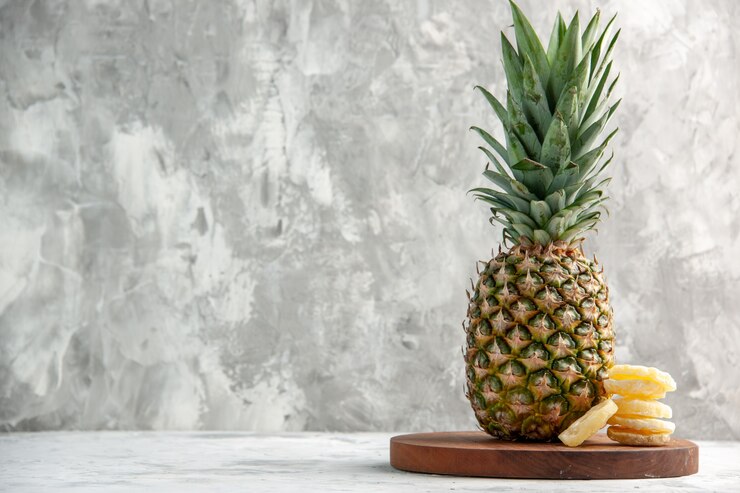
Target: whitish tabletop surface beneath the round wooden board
[(226, 461)]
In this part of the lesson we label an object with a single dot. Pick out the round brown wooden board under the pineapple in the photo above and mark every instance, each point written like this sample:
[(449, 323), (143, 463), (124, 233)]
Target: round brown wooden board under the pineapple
[(477, 454)]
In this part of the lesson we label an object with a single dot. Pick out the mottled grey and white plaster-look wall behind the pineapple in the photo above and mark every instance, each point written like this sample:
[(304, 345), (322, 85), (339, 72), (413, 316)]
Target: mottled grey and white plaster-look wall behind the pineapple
[(253, 214)]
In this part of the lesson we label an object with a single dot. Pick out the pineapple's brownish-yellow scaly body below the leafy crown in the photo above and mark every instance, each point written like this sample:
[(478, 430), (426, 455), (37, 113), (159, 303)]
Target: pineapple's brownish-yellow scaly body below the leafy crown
[(539, 341)]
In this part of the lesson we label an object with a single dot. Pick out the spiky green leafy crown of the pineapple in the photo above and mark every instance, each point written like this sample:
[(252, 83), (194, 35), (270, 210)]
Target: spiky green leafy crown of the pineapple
[(549, 177)]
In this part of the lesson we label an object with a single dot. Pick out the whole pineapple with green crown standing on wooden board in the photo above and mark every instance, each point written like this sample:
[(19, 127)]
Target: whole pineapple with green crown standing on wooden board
[(539, 328)]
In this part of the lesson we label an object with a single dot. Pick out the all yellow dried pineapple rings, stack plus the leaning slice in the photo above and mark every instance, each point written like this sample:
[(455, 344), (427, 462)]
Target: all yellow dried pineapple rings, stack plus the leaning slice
[(634, 414)]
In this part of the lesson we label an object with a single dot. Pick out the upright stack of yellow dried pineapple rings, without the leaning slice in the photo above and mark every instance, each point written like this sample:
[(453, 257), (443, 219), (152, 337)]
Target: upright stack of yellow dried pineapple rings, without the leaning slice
[(638, 420)]
